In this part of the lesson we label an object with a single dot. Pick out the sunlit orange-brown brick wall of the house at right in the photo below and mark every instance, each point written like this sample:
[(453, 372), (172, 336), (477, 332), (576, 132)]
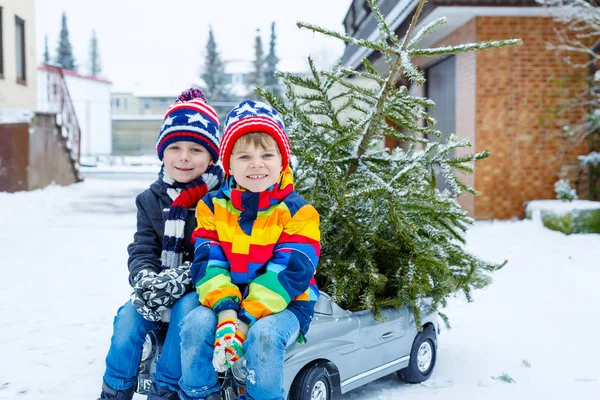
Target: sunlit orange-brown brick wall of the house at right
[(515, 90)]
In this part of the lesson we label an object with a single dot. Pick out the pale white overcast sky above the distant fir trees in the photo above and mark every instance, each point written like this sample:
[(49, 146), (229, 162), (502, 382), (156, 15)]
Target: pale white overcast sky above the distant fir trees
[(160, 45)]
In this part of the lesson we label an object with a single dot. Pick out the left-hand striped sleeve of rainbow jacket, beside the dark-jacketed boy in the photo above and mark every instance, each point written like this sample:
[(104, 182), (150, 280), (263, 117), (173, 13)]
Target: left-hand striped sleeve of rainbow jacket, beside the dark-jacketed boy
[(211, 269)]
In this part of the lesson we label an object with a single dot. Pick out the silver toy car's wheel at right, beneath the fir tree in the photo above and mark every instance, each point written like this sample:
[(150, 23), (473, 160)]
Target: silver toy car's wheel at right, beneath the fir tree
[(423, 356)]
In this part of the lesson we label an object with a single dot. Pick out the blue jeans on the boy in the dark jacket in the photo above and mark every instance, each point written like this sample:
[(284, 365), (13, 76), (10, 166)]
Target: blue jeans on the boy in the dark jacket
[(129, 333)]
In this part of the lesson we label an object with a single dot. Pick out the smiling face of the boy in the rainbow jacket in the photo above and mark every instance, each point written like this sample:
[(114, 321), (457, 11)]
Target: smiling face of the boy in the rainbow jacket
[(255, 168)]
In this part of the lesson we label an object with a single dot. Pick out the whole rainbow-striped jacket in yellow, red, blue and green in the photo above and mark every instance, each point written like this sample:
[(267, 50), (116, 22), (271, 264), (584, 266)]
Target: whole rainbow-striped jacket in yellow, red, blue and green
[(257, 253)]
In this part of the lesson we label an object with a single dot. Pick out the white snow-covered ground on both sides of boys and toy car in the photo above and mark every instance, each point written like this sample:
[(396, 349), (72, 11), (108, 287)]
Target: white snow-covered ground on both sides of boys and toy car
[(64, 275)]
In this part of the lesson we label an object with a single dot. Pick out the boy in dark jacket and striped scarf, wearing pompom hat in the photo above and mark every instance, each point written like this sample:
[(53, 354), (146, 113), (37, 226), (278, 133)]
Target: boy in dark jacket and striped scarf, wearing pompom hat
[(161, 250)]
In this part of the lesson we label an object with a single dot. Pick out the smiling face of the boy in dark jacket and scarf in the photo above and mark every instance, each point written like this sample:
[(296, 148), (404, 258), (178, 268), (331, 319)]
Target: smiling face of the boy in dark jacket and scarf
[(186, 161)]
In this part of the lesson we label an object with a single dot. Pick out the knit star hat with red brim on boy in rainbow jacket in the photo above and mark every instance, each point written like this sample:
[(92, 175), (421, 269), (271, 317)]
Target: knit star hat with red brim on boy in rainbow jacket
[(252, 116)]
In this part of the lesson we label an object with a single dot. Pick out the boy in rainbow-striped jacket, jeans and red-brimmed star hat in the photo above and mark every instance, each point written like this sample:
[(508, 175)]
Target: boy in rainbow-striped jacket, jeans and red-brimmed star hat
[(257, 246)]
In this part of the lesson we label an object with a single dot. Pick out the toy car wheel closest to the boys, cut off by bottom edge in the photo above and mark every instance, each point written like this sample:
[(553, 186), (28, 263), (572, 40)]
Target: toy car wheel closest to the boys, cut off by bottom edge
[(314, 383)]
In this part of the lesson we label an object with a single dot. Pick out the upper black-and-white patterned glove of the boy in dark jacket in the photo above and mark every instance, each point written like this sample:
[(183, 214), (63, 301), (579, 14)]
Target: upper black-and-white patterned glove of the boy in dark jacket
[(168, 287)]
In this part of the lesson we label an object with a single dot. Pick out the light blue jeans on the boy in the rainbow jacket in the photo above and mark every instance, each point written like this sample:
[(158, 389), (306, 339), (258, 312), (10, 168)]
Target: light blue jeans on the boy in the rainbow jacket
[(264, 346)]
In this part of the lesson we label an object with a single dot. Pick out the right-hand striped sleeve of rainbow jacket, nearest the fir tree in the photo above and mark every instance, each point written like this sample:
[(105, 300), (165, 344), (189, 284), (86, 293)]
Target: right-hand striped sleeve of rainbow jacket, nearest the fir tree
[(290, 271)]
